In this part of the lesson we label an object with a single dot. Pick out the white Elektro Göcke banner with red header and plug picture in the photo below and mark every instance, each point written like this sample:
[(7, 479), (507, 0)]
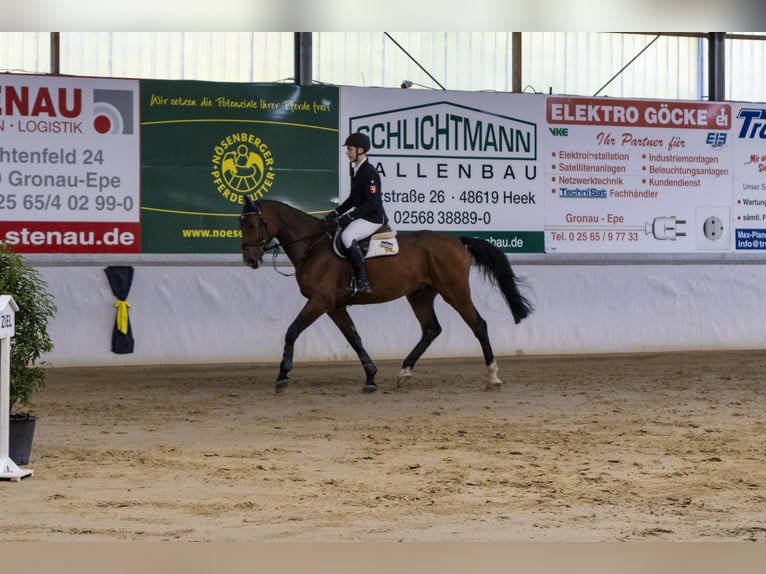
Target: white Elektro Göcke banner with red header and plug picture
[(637, 176)]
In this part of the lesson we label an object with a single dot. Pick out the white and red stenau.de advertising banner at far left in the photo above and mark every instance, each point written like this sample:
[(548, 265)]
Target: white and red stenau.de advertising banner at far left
[(69, 164)]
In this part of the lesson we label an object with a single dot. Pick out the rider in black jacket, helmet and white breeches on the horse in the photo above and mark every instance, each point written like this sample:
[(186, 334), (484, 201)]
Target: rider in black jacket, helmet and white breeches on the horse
[(362, 213)]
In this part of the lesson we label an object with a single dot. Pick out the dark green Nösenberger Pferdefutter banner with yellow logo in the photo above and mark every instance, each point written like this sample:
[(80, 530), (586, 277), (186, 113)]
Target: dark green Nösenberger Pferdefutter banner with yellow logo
[(205, 146)]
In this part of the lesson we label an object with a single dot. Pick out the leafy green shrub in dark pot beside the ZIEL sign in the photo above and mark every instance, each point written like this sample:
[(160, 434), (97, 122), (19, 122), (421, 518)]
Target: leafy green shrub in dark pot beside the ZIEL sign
[(31, 340)]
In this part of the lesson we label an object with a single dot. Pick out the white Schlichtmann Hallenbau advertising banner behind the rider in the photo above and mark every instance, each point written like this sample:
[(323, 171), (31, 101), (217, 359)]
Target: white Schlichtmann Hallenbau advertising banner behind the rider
[(458, 162)]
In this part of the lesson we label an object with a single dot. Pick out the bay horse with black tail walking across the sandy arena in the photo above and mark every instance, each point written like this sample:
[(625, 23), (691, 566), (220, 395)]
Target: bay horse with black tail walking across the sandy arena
[(429, 263)]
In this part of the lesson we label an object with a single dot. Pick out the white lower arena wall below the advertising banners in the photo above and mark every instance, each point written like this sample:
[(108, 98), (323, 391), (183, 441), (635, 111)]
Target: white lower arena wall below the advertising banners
[(184, 314)]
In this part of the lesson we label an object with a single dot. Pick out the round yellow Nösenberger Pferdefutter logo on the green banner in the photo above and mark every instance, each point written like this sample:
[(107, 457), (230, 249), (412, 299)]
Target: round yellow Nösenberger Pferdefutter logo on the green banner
[(242, 167)]
